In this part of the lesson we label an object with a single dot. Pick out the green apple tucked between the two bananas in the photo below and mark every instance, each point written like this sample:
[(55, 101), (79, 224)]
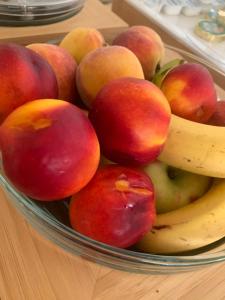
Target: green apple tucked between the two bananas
[(175, 188)]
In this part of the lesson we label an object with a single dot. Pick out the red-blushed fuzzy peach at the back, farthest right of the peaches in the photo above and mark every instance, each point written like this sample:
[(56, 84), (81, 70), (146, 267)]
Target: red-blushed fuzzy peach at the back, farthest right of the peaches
[(146, 44)]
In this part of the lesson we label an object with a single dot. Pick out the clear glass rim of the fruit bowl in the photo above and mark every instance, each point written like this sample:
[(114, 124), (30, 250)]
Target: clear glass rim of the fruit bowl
[(178, 261)]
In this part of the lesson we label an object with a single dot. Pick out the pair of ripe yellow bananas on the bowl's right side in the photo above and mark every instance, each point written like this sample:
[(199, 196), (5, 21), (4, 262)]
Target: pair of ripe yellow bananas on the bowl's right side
[(197, 148)]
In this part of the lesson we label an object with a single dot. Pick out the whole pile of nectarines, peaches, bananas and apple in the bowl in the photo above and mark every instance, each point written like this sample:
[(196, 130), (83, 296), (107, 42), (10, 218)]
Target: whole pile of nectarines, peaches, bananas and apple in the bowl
[(125, 138)]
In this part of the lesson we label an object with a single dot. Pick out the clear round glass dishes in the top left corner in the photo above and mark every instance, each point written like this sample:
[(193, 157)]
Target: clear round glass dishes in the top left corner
[(30, 12)]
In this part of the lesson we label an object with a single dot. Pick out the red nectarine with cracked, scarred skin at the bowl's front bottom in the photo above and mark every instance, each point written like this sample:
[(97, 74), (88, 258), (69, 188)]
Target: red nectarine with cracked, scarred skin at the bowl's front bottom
[(117, 207)]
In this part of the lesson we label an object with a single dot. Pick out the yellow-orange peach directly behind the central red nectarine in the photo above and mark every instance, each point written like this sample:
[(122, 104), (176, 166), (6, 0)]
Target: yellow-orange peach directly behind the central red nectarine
[(103, 65)]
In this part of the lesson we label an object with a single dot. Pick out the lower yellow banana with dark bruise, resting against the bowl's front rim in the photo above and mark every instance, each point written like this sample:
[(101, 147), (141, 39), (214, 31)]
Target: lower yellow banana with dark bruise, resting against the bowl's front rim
[(190, 227)]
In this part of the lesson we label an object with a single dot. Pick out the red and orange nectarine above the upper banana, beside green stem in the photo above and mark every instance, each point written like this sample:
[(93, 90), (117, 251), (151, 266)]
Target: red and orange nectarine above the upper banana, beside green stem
[(190, 91)]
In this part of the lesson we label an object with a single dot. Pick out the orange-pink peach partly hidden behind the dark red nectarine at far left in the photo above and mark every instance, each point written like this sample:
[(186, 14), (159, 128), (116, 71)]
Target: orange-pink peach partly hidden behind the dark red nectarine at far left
[(64, 67)]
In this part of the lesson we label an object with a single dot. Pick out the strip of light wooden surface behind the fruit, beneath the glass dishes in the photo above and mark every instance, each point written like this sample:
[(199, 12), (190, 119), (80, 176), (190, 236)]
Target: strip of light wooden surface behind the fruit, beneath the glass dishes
[(94, 14)]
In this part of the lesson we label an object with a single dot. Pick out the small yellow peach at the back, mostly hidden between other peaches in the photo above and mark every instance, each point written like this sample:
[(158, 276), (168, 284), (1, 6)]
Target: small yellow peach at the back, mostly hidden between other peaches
[(80, 41)]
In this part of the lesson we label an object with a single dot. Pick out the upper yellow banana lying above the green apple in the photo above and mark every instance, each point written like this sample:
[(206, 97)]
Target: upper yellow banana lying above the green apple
[(195, 147)]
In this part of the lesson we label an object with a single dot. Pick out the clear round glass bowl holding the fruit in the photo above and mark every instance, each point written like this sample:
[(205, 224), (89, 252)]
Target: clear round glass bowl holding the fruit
[(51, 220)]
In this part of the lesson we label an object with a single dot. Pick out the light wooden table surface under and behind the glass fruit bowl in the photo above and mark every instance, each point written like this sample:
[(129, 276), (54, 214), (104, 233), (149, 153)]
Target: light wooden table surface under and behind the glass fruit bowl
[(32, 268)]
